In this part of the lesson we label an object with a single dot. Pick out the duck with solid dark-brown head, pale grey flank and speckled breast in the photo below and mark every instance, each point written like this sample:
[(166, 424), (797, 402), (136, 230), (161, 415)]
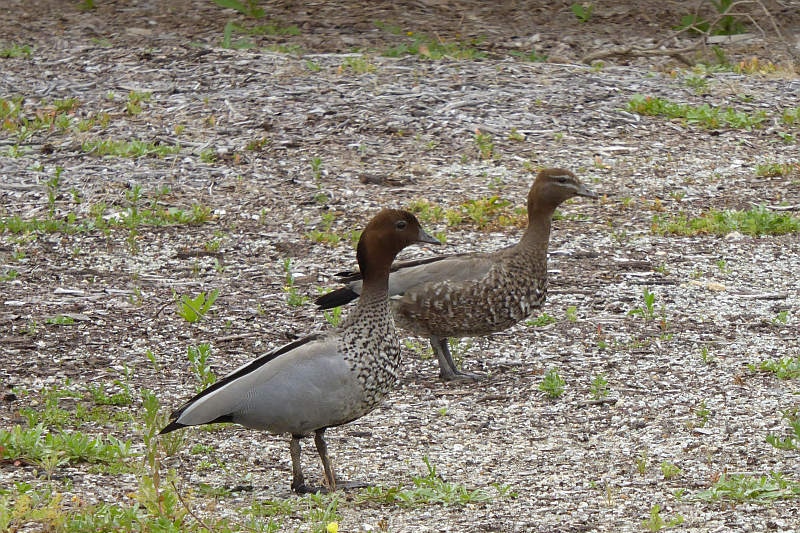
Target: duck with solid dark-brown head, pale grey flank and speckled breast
[(322, 380)]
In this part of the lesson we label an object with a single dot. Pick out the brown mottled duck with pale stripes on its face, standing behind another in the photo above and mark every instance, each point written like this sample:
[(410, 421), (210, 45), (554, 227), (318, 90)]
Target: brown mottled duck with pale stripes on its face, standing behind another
[(474, 294)]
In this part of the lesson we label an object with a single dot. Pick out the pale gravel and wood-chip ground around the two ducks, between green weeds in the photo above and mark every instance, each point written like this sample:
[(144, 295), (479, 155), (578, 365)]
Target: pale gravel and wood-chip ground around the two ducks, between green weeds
[(404, 131)]
